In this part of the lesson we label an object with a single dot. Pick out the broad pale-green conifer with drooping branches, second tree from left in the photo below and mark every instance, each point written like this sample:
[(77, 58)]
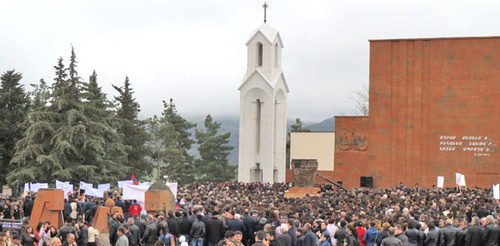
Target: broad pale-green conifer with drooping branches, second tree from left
[(36, 158)]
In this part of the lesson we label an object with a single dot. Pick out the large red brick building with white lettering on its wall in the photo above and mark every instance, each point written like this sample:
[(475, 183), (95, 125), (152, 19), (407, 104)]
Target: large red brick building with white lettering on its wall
[(434, 111)]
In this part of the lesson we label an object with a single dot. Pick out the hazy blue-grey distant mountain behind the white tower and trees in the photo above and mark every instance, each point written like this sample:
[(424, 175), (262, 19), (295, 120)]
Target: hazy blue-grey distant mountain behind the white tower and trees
[(231, 124)]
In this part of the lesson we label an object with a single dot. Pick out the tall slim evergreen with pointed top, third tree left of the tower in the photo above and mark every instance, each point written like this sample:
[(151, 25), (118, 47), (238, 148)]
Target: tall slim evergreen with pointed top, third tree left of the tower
[(132, 131)]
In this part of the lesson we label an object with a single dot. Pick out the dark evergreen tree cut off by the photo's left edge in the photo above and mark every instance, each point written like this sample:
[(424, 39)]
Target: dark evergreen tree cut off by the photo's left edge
[(14, 108)]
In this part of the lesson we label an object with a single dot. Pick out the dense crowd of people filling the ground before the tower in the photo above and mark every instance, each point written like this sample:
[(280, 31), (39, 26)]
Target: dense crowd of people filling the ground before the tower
[(257, 214)]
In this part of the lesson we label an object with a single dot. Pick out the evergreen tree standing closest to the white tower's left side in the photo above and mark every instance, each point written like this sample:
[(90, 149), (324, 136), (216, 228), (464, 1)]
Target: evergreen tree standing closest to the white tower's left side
[(213, 148)]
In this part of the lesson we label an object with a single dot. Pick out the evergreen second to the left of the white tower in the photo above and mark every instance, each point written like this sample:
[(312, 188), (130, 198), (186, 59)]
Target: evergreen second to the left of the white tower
[(175, 137)]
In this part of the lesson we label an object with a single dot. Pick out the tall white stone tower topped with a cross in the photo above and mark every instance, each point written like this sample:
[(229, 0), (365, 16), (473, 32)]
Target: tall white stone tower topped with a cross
[(263, 93)]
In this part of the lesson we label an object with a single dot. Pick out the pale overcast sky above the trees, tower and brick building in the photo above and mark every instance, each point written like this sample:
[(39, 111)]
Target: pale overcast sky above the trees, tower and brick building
[(194, 50)]
